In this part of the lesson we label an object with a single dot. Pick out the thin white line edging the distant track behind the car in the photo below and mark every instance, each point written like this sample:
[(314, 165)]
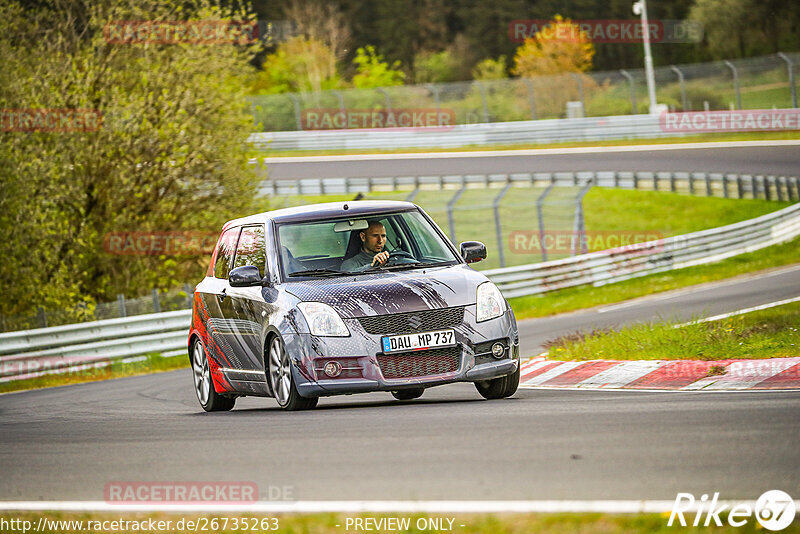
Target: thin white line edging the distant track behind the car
[(531, 152)]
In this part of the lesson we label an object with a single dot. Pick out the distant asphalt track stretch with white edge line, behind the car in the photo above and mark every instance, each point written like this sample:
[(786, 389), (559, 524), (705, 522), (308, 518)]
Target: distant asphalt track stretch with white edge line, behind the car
[(781, 159)]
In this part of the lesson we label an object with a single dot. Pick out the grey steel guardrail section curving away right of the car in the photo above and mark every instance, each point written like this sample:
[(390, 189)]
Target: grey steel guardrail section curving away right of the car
[(609, 266)]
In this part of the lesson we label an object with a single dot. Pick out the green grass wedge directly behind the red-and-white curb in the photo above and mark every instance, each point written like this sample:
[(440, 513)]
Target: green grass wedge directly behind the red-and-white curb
[(770, 333)]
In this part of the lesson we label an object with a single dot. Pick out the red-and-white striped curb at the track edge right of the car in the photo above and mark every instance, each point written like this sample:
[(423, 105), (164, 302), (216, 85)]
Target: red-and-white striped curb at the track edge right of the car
[(689, 375)]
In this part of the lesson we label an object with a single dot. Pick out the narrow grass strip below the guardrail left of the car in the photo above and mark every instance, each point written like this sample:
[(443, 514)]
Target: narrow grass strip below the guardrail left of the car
[(153, 363)]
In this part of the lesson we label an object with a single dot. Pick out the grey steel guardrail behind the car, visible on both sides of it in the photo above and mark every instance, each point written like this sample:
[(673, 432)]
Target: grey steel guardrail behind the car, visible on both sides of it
[(31, 353)]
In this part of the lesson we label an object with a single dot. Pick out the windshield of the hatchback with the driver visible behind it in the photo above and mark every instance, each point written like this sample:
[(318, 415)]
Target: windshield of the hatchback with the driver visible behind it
[(343, 246)]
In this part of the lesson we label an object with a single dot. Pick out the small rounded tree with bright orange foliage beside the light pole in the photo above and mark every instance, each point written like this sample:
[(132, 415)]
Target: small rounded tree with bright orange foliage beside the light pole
[(561, 47)]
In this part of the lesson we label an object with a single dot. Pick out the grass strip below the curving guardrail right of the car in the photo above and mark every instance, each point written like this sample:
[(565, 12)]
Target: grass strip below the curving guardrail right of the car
[(577, 298)]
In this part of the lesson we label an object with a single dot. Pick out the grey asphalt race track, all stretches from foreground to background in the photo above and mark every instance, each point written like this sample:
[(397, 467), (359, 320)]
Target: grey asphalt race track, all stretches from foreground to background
[(67, 443)]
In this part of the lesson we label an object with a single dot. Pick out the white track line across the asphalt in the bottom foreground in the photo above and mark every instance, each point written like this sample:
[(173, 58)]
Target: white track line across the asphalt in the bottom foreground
[(308, 507)]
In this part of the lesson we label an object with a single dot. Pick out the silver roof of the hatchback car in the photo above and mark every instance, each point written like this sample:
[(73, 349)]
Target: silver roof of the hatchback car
[(313, 212)]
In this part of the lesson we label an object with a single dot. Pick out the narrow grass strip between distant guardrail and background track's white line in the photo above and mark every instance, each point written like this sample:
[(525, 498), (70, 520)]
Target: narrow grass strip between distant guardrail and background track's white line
[(705, 138)]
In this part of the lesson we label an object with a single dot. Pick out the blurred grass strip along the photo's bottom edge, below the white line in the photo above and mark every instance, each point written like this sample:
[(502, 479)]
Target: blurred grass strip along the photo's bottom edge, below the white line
[(588, 523)]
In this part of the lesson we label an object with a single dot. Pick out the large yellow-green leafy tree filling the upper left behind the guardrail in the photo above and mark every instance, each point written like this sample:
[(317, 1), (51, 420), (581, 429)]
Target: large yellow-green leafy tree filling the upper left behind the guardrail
[(169, 155)]
